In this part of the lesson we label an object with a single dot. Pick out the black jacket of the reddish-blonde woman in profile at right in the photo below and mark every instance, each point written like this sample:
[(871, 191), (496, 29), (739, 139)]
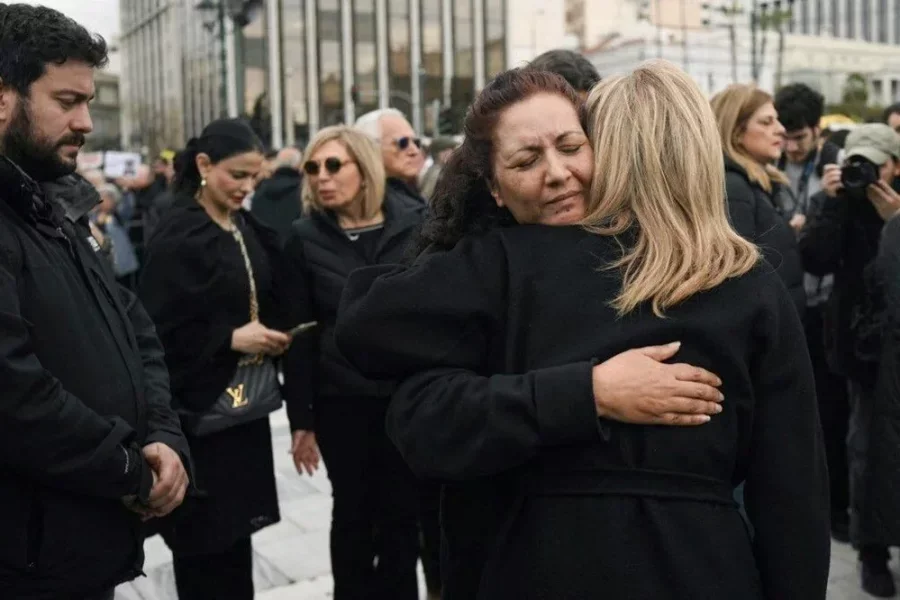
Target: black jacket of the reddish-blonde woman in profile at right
[(757, 217)]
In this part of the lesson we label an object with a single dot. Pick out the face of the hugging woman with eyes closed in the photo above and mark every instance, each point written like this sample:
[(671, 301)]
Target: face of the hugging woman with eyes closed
[(542, 161)]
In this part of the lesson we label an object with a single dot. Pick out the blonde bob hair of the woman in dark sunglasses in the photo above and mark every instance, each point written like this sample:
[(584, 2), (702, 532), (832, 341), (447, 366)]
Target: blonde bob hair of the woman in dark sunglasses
[(367, 156)]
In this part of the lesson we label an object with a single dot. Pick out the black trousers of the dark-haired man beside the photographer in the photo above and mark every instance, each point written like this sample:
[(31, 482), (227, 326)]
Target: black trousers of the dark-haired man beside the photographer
[(834, 413)]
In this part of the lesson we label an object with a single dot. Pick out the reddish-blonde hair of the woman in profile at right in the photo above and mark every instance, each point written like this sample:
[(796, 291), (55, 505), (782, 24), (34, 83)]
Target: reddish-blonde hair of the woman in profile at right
[(733, 107)]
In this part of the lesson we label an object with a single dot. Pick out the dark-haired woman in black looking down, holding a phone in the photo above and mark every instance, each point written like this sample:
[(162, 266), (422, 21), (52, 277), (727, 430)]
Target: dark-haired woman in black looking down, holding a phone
[(214, 285)]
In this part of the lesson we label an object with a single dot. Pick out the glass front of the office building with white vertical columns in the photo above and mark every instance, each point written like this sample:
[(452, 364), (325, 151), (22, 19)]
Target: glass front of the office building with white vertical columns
[(338, 59)]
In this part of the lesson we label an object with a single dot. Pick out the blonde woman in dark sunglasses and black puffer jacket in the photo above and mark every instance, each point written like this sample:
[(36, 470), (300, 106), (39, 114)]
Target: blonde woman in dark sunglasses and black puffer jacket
[(351, 221)]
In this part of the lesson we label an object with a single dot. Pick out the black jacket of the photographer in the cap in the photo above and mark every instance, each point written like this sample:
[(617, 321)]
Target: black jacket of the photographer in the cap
[(842, 238)]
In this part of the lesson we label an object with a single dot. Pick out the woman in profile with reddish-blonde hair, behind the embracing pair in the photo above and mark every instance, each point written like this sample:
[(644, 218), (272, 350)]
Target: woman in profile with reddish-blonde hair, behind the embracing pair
[(759, 196)]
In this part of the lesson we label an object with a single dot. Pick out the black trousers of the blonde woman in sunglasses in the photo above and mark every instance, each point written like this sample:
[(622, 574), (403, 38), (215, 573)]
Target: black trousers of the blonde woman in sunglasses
[(374, 533)]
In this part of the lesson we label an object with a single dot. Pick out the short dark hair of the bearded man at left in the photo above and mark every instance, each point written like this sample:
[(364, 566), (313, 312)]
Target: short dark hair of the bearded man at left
[(31, 37)]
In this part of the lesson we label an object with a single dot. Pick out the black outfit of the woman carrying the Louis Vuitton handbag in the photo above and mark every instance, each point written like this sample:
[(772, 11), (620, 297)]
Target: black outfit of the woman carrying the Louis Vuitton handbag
[(196, 289)]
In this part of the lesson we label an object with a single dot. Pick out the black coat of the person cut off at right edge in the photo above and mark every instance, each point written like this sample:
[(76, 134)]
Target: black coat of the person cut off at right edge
[(877, 501)]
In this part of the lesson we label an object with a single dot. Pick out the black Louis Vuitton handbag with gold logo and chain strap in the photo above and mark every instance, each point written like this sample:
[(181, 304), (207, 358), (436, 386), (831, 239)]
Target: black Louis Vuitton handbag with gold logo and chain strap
[(253, 392)]
